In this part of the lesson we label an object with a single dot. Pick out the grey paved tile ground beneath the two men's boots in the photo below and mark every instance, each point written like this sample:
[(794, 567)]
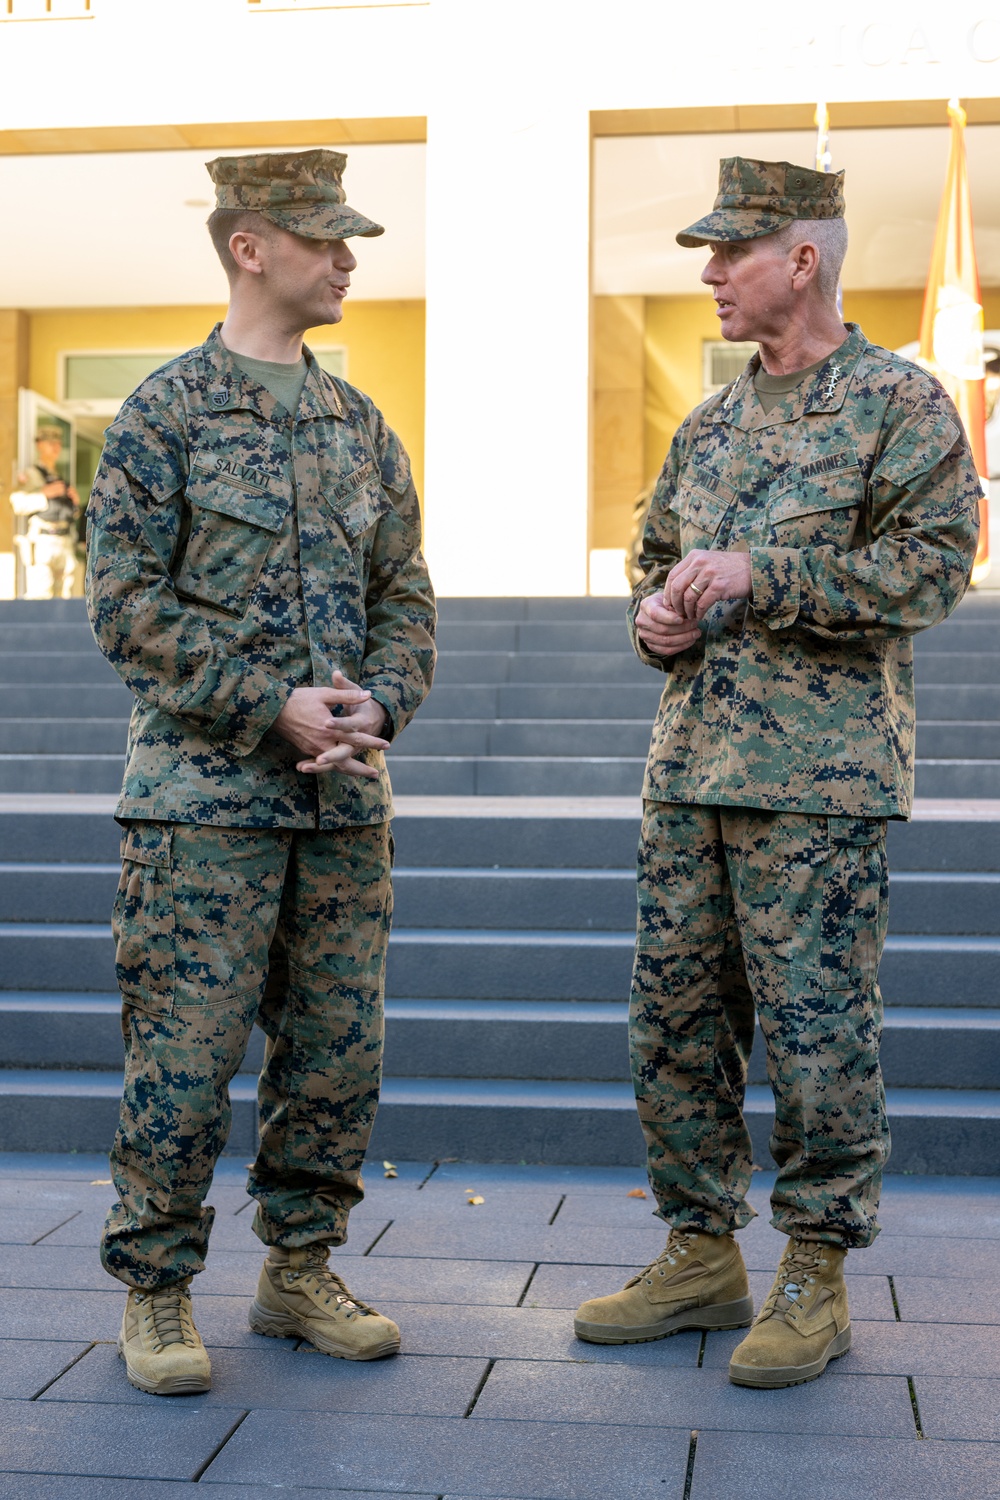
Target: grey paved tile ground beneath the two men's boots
[(493, 1396)]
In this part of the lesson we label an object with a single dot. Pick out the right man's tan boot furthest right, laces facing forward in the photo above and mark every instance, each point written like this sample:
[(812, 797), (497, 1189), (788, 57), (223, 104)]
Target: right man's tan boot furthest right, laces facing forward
[(803, 1325)]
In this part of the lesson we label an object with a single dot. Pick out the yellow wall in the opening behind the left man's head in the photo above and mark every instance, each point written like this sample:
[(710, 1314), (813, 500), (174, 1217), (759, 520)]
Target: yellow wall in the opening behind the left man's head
[(385, 343)]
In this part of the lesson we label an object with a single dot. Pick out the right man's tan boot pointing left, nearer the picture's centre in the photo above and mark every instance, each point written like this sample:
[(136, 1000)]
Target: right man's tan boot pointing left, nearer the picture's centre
[(698, 1282)]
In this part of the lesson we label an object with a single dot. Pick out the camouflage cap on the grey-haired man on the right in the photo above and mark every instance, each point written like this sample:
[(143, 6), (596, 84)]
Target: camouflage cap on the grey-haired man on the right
[(758, 199)]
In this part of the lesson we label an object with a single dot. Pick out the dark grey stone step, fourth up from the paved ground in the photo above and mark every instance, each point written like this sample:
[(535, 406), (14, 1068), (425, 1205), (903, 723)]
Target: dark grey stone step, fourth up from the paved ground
[(527, 898)]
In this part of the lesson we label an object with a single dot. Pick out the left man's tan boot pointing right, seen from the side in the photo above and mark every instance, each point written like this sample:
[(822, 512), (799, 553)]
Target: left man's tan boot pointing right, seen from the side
[(299, 1297)]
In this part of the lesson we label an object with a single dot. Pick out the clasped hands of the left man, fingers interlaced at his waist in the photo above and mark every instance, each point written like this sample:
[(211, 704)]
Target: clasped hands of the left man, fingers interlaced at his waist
[(331, 743)]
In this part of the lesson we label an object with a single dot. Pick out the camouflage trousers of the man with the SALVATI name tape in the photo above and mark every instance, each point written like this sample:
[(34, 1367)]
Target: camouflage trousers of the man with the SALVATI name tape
[(218, 929)]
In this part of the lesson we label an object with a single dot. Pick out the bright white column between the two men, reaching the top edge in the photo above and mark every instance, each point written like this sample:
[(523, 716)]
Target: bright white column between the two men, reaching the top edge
[(507, 310)]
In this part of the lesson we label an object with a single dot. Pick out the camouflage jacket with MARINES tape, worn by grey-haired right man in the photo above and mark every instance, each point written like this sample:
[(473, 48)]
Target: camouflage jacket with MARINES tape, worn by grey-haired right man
[(858, 499)]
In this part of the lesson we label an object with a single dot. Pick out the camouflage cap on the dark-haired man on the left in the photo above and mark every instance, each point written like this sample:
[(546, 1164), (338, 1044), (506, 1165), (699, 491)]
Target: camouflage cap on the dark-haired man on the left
[(298, 191)]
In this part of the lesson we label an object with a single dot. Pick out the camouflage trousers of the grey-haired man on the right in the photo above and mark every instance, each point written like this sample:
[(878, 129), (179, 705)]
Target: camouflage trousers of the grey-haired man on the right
[(783, 914)]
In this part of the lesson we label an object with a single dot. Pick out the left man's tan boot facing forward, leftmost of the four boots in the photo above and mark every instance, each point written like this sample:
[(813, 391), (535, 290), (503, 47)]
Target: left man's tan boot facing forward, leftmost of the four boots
[(161, 1346)]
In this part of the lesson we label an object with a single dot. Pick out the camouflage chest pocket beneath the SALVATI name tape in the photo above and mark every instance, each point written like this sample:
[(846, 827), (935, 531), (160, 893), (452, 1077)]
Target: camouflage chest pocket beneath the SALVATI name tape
[(232, 533)]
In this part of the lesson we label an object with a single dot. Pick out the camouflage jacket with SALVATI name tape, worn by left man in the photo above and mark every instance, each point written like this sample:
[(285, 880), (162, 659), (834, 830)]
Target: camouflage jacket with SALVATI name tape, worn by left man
[(238, 553)]
